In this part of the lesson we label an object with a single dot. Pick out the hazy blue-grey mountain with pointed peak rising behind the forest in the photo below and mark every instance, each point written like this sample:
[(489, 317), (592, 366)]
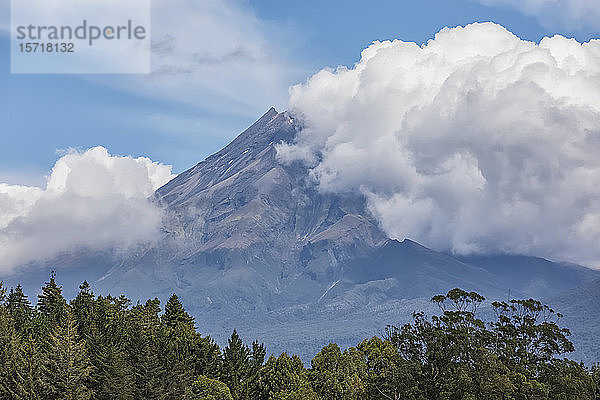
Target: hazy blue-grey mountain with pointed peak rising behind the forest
[(251, 243)]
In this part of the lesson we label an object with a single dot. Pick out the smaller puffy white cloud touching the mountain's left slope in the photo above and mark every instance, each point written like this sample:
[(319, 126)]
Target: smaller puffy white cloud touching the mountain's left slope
[(92, 200)]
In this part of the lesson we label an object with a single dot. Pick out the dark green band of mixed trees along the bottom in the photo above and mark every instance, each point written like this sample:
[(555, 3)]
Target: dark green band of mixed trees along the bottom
[(97, 347)]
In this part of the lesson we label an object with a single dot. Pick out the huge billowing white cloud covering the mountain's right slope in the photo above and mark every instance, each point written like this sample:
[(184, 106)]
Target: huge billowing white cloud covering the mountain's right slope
[(475, 142)]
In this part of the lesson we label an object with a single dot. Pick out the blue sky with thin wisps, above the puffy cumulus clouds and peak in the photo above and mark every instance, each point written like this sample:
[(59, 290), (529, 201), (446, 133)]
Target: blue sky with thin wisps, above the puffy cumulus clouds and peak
[(181, 122)]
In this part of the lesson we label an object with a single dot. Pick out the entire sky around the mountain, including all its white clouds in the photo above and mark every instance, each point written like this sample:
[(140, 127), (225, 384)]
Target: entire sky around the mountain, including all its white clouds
[(218, 65)]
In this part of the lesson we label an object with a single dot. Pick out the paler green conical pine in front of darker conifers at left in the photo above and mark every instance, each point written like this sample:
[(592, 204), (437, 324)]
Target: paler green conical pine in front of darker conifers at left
[(67, 367)]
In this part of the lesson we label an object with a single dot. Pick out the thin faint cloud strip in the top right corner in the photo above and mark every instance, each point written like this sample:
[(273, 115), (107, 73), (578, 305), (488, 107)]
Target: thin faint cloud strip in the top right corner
[(570, 14)]
